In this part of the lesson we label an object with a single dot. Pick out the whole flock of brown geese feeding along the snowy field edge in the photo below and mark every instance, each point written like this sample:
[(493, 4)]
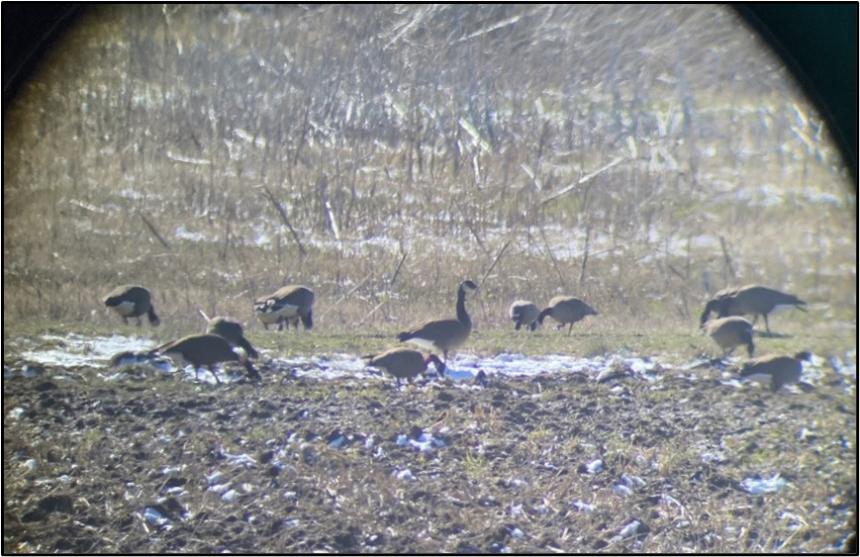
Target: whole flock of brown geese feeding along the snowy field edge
[(292, 304)]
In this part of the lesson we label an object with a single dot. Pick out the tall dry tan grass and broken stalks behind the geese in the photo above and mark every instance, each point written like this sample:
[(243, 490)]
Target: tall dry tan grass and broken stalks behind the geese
[(639, 157)]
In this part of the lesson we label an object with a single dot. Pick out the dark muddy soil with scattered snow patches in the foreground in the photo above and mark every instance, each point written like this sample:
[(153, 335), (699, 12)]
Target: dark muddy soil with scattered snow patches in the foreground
[(152, 462)]
